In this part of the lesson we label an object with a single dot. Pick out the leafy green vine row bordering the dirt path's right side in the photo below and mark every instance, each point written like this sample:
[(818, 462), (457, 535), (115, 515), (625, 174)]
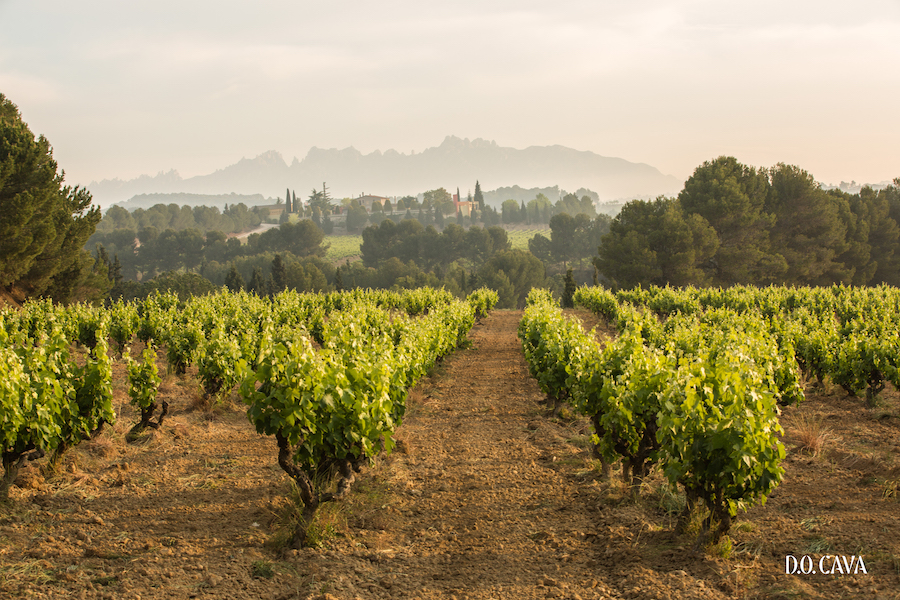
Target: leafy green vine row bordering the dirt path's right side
[(697, 394)]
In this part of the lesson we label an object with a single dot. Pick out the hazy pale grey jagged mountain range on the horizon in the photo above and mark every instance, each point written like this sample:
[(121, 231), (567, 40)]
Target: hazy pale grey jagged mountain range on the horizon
[(455, 163)]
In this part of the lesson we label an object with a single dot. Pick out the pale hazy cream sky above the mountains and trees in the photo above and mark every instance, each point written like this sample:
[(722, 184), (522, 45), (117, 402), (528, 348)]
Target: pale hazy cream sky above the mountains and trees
[(126, 88)]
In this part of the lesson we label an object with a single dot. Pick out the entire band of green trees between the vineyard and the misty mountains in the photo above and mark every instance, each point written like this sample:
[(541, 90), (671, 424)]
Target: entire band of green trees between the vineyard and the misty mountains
[(731, 224)]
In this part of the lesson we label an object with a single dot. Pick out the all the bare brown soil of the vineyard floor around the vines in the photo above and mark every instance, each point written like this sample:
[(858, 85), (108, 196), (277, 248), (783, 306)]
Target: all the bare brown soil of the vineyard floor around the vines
[(486, 496)]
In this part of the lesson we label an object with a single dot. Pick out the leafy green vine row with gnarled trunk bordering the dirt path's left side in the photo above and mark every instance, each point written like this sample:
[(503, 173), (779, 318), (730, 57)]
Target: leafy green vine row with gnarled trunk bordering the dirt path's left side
[(333, 409)]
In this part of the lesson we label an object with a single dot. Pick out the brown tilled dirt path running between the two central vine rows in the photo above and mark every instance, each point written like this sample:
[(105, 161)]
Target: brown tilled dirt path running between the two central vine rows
[(483, 512)]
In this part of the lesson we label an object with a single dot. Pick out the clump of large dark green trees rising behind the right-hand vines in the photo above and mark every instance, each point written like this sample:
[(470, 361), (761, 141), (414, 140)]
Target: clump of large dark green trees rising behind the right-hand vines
[(735, 224)]
